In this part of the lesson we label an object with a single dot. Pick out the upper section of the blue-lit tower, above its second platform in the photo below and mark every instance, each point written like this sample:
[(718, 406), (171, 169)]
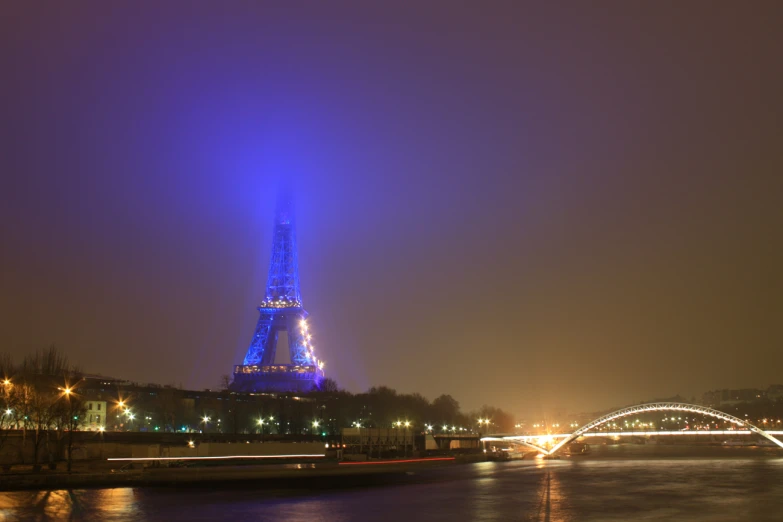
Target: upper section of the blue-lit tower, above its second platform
[(282, 286)]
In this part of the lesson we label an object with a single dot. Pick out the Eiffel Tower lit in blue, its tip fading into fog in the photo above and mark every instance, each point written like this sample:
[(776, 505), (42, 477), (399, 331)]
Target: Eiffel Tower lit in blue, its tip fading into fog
[(281, 311)]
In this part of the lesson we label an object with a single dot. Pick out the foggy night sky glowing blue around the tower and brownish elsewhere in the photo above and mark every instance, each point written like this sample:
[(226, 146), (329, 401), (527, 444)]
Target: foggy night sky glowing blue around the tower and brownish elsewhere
[(538, 207)]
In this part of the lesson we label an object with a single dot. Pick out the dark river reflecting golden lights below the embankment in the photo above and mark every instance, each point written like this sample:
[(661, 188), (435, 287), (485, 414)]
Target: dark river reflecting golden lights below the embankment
[(620, 484)]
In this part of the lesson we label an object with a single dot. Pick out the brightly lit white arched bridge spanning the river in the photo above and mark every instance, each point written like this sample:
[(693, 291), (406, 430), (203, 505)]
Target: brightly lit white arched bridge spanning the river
[(742, 426)]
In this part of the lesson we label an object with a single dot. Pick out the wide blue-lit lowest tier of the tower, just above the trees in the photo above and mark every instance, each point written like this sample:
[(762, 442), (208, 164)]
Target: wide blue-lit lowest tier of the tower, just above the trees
[(276, 378)]
